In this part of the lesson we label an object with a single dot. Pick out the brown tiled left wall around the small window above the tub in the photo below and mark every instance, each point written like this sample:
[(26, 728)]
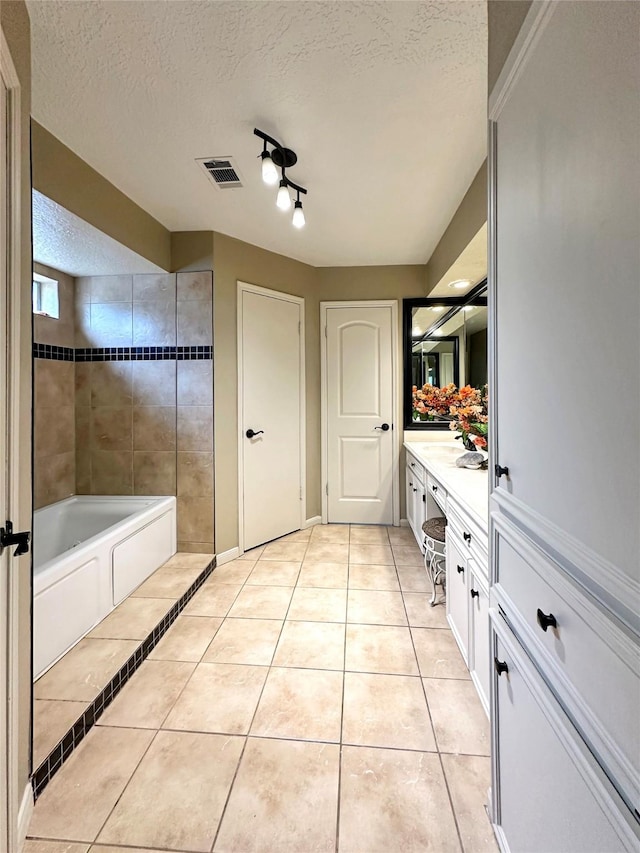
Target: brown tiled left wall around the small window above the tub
[(54, 437)]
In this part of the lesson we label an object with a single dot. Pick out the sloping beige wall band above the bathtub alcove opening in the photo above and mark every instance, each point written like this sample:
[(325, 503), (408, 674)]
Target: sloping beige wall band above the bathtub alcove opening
[(62, 176)]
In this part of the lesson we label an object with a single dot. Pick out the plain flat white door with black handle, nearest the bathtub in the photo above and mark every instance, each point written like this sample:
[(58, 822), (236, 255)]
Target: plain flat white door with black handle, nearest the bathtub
[(270, 406)]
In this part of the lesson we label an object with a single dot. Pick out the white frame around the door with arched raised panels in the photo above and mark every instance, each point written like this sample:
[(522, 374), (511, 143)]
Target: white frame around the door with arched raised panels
[(395, 430)]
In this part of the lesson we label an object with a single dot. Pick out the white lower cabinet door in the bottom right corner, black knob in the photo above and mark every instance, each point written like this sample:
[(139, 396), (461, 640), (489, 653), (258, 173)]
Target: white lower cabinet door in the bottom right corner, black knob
[(552, 796)]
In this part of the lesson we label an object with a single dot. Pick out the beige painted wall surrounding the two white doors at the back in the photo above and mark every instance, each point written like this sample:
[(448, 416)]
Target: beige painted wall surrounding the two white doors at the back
[(237, 261)]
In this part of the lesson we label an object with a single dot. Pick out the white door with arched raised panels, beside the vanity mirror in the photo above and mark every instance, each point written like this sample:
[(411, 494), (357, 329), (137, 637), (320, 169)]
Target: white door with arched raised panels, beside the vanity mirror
[(360, 414)]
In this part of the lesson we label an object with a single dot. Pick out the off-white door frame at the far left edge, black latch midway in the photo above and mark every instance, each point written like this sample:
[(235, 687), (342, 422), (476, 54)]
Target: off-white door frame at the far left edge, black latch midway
[(19, 803)]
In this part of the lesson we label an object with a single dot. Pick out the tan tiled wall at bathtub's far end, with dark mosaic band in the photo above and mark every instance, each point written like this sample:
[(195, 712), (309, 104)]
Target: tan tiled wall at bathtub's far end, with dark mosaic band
[(142, 394)]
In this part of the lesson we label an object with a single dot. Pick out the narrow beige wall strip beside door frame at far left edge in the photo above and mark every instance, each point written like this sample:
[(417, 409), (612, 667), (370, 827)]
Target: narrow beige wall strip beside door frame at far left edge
[(14, 21)]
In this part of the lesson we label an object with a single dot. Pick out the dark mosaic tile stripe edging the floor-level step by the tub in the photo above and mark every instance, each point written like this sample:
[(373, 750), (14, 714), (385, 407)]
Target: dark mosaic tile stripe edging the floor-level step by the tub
[(59, 754)]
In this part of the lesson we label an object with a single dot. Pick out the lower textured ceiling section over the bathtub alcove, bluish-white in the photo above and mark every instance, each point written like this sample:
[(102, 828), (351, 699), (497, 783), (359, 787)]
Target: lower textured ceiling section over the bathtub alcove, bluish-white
[(67, 243)]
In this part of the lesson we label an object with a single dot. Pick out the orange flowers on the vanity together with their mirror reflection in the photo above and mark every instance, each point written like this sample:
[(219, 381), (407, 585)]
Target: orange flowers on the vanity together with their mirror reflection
[(467, 408)]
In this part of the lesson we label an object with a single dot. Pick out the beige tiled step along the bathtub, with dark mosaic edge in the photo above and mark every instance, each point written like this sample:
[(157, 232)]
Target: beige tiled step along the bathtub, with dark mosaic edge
[(72, 696)]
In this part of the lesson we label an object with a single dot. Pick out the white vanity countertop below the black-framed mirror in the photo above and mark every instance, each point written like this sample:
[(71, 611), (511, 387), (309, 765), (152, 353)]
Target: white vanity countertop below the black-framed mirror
[(467, 486)]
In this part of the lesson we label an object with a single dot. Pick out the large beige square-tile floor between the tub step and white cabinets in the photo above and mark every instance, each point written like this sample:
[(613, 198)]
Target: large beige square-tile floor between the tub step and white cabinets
[(307, 699)]
